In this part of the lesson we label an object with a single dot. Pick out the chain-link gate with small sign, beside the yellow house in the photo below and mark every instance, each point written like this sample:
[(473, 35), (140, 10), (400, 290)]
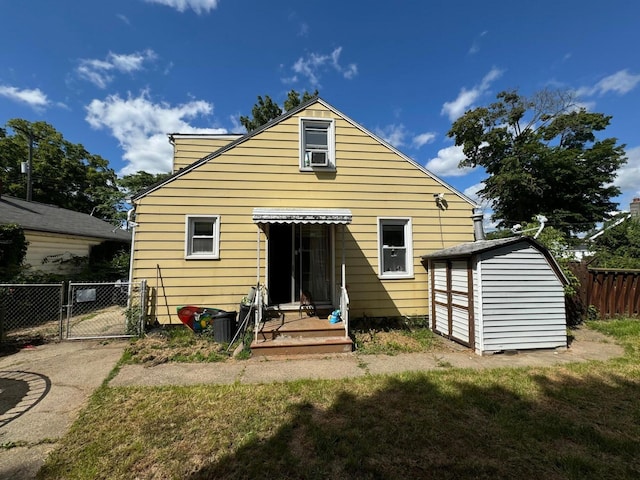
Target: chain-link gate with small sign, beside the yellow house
[(104, 310)]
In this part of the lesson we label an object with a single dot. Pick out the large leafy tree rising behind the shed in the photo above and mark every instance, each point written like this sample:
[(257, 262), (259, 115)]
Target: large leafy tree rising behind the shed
[(542, 157)]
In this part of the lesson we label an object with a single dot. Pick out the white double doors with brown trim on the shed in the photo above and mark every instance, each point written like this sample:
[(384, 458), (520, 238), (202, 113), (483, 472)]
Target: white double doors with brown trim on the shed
[(452, 300)]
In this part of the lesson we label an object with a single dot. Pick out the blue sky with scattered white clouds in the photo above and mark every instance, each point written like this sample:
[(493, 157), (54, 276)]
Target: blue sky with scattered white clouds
[(118, 75)]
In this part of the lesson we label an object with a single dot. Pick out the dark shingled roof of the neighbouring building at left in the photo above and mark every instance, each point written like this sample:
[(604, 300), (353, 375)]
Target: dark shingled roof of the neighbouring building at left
[(40, 217)]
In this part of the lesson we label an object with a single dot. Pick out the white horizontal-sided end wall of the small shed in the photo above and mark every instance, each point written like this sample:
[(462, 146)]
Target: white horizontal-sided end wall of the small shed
[(522, 304)]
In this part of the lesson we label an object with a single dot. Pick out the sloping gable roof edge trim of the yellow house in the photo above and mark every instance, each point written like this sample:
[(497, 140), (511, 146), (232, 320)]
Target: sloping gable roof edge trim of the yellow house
[(279, 119)]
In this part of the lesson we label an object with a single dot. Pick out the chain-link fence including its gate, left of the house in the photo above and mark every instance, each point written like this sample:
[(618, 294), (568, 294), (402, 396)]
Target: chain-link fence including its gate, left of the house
[(35, 313)]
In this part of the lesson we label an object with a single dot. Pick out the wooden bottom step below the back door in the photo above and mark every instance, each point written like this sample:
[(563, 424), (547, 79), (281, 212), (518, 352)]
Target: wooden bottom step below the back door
[(285, 345)]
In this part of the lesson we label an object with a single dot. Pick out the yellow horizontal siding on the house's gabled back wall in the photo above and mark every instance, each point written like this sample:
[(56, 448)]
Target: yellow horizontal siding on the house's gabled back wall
[(263, 171)]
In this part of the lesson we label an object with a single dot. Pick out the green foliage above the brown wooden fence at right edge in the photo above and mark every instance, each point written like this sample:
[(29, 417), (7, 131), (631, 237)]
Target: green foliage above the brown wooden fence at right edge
[(619, 246)]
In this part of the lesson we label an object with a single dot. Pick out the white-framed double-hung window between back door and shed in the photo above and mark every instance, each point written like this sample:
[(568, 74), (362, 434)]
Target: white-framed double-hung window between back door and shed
[(395, 252)]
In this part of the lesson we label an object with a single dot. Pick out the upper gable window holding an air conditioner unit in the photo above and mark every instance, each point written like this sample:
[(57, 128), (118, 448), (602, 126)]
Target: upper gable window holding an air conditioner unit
[(317, 144)]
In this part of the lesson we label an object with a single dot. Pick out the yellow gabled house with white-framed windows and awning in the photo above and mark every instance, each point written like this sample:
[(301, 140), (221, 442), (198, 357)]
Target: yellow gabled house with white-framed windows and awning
[(310, 202)]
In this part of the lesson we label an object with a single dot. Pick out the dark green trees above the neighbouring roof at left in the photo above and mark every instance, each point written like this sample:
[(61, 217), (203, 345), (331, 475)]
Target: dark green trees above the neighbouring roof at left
[(63, 173)]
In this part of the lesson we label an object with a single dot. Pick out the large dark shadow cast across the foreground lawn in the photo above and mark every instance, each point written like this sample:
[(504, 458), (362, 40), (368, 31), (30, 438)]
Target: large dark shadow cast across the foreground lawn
[(422, 427)]
